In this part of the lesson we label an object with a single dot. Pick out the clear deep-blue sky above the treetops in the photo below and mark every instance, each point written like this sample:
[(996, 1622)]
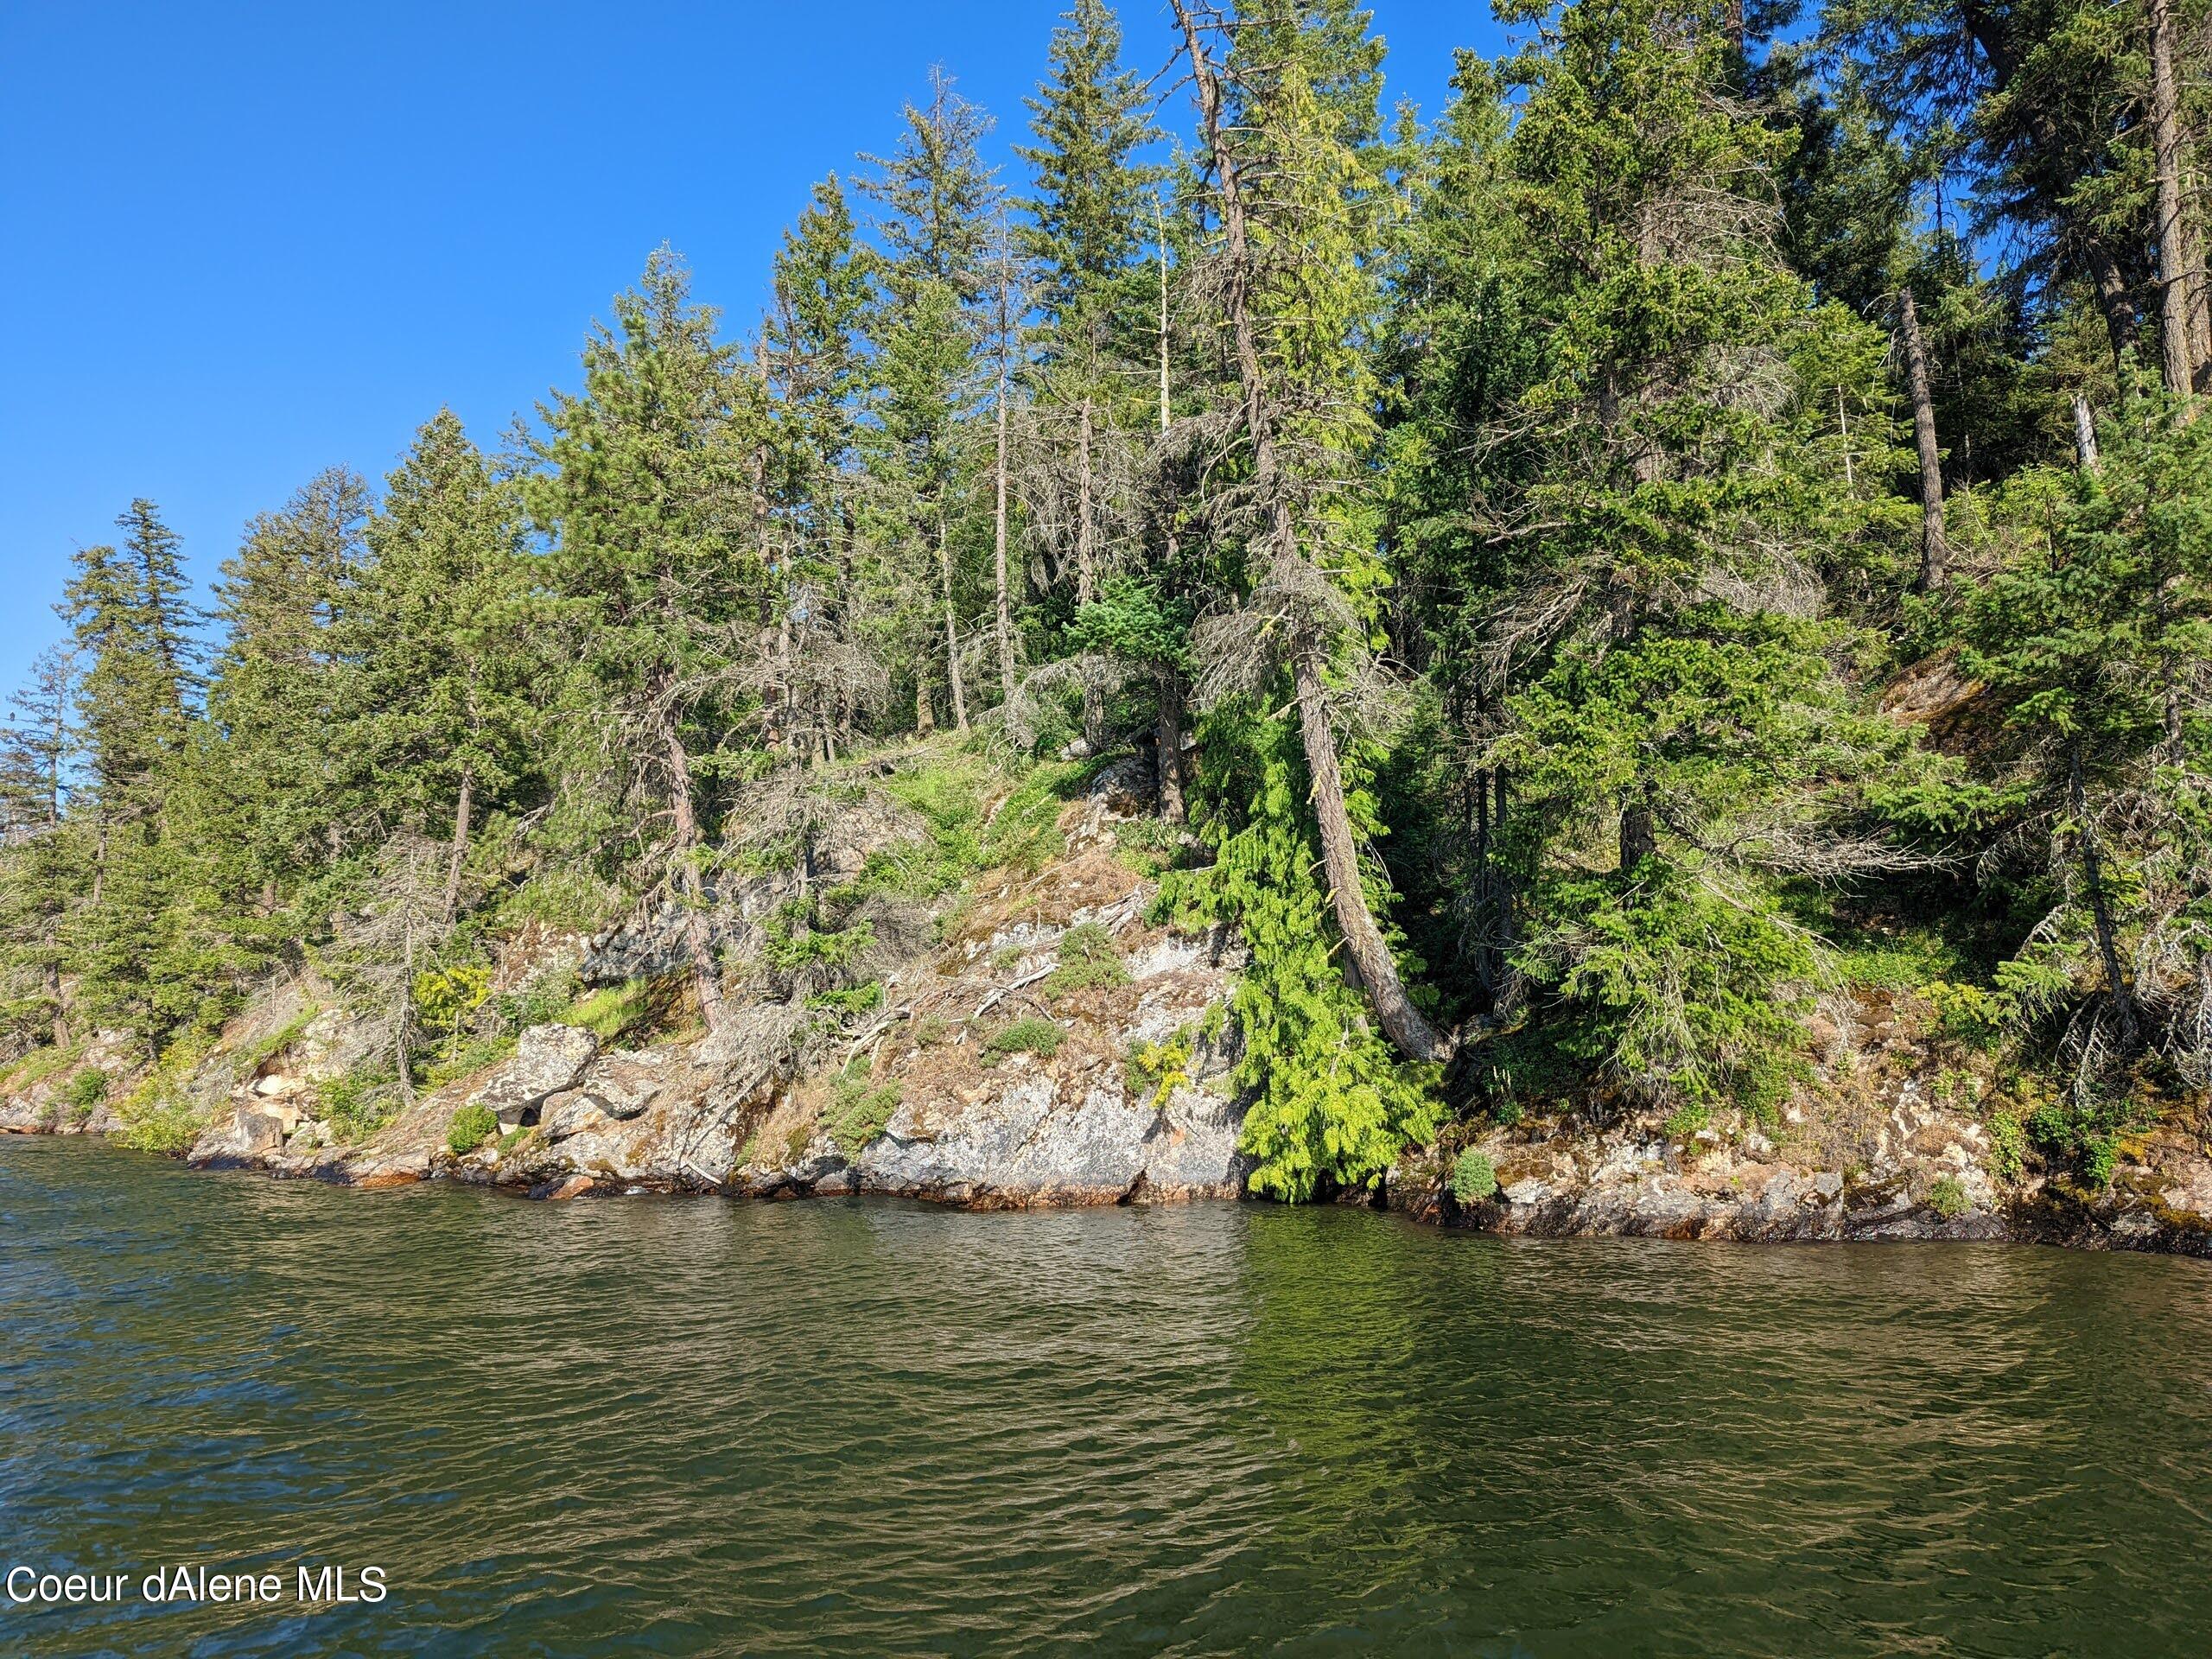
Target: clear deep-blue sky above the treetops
[(247, 242)]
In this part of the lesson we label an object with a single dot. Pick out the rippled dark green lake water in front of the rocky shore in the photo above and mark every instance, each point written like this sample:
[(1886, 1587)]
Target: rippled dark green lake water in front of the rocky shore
[(687, 1426)]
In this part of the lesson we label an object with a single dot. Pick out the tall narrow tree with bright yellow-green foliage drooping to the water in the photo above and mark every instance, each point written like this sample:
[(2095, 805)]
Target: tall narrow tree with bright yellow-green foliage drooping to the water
[(1295, 194)]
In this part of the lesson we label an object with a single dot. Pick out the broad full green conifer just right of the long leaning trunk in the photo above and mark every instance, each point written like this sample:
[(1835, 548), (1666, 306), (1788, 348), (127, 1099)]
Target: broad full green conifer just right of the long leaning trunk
[(1669, 671)]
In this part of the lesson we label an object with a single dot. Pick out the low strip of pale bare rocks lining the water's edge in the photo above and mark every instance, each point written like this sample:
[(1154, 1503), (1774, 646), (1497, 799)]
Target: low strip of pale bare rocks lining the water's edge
[(667, 1120)]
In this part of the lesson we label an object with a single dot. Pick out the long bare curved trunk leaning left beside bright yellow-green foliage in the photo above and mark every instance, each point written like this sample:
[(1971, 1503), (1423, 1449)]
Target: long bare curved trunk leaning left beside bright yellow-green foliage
[(1339, 844)]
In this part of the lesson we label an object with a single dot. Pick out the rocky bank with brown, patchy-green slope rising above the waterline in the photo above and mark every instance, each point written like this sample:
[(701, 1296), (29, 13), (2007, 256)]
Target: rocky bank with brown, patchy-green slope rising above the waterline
[(1041, 1043)]
